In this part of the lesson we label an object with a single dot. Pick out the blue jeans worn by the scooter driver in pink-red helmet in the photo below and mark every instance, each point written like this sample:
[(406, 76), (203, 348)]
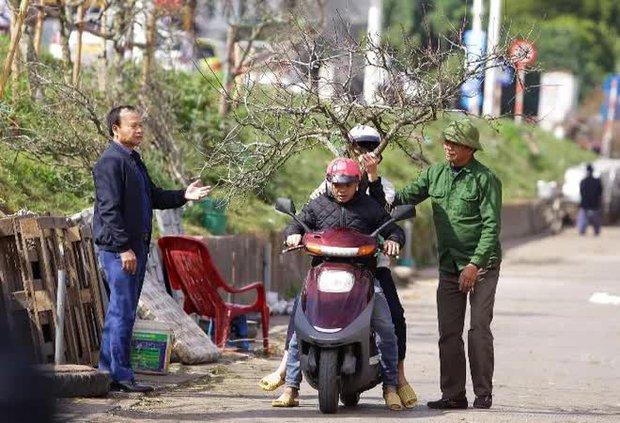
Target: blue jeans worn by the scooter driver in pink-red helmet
[(385, 337)]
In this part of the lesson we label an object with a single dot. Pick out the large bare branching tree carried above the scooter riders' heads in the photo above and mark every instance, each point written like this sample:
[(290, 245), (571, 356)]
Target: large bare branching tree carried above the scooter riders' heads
[(303, 90)]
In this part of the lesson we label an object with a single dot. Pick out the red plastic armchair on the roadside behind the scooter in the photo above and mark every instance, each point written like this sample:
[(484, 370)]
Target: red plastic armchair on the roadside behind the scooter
[(191, 269)]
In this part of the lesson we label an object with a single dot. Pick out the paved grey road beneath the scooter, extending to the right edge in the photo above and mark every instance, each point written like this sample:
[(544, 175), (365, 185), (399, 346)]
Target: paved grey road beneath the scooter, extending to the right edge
[(557, 353)]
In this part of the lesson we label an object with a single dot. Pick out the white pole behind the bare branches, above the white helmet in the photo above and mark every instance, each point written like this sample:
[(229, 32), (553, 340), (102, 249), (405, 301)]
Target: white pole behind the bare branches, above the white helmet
[(373, 75)]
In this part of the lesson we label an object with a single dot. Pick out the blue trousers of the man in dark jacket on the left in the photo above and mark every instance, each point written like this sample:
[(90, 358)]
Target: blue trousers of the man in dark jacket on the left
[(125, 289)]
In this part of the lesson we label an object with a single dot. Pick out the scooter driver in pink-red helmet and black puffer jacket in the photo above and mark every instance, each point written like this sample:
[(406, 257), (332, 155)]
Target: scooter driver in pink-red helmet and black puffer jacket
[(344, 205)]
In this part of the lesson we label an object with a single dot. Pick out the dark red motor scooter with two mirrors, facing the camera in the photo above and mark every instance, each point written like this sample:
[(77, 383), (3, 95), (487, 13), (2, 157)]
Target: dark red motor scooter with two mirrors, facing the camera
[(338, 354)]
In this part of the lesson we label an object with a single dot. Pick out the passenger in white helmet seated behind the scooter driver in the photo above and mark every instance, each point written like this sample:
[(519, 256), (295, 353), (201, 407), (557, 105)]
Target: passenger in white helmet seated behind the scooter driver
[(364, 140)]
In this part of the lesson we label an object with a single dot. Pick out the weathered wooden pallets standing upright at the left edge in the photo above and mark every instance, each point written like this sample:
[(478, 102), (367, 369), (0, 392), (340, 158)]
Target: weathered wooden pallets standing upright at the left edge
[(32, 251)]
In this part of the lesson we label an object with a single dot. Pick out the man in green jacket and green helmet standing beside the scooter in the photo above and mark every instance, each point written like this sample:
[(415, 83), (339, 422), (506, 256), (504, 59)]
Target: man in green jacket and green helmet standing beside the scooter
[(466, 199)]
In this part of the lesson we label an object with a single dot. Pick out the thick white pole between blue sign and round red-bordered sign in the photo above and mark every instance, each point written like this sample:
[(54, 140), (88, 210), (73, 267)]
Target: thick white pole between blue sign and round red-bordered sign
[(492, 95)]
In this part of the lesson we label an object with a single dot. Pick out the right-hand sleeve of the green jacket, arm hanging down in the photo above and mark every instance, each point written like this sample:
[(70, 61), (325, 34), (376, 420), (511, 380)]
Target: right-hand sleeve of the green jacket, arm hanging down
[(490, 211)]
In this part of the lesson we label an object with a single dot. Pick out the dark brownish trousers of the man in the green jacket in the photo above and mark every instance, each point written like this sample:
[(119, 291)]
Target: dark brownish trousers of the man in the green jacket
[(451, 304)]
